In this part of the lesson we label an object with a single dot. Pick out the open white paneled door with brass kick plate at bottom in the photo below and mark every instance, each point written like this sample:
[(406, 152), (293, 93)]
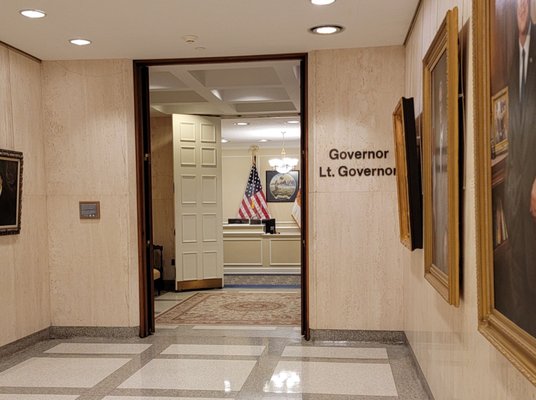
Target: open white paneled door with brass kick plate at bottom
[(198, 202)]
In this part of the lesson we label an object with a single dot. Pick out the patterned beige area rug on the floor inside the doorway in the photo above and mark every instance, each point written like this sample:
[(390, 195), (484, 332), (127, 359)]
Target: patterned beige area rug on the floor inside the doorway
[(235, 309)]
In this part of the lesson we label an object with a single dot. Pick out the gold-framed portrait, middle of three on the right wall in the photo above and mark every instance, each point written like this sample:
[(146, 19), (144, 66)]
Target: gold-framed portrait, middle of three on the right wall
[(440, 161)]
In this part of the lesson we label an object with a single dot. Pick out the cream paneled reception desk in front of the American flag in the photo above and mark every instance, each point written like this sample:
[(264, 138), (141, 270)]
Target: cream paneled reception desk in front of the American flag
[(248, 250)]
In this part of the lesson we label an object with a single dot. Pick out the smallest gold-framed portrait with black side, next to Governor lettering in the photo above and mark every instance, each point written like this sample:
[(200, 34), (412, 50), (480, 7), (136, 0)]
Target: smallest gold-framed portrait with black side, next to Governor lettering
[(408, 177)]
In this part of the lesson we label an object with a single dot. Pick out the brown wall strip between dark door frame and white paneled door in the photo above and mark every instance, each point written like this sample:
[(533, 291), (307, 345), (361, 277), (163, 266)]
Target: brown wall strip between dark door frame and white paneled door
[(162, 181)]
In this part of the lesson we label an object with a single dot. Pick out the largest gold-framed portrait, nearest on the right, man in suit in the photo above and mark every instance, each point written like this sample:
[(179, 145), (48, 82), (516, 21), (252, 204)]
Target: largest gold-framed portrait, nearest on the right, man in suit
[(505, 106)]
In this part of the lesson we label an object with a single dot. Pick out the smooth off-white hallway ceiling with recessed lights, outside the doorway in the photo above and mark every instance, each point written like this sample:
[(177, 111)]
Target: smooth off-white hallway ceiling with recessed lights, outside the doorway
[(146, 29)]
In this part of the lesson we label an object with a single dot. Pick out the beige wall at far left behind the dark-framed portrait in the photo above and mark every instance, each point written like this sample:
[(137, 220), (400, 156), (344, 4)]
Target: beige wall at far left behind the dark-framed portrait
[(24, 283)]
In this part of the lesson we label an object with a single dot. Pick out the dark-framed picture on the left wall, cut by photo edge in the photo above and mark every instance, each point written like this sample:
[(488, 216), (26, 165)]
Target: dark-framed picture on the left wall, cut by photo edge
[(10, 191)]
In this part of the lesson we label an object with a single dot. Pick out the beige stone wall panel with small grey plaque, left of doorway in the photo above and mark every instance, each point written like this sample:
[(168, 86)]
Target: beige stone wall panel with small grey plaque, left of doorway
[(89, 141)]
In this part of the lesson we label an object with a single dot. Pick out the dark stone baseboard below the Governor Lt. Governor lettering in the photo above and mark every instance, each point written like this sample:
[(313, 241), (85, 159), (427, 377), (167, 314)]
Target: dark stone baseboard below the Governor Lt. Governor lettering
[(386, 337)]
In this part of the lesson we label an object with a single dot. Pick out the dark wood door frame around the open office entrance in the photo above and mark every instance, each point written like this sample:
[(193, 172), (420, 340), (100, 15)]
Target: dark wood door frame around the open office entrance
[(143, 177)]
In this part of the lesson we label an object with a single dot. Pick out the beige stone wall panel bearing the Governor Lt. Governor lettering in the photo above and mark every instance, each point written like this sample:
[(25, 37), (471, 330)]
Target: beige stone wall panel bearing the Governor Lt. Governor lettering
[(356, 279)]
